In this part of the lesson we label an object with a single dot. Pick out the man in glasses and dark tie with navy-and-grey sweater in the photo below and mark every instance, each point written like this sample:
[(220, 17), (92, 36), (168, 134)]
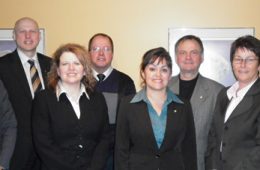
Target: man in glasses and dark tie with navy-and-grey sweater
[(111, 82)]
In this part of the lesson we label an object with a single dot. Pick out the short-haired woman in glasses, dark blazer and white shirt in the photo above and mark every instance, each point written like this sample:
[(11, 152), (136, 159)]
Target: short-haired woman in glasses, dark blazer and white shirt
[(234, 138)]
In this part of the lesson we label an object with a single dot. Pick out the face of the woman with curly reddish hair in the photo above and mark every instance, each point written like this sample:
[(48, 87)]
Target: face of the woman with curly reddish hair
[(70, 69)]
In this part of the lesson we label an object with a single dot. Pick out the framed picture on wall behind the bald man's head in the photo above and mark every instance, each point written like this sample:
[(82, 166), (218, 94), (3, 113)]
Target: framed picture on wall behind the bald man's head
[(7, 44)]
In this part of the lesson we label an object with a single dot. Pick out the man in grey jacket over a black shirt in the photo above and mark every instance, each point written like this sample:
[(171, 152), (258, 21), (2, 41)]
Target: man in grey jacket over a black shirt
[(200, 91)]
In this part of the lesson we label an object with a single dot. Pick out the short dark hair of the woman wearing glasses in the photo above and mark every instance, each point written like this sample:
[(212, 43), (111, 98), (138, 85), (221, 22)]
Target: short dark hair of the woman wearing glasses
[(247, 42)]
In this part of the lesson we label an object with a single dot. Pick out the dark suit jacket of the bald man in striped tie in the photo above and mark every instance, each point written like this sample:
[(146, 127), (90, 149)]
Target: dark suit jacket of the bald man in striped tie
[(15, 81)]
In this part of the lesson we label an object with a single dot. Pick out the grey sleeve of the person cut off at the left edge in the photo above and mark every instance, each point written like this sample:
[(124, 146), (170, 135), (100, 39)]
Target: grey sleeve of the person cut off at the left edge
[(8, 128)]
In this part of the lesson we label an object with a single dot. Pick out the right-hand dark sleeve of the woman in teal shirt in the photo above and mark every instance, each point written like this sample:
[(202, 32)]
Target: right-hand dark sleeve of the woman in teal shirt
[(189, 143)]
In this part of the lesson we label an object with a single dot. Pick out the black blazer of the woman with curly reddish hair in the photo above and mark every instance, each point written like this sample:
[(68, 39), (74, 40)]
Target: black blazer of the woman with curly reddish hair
[(65, 142)]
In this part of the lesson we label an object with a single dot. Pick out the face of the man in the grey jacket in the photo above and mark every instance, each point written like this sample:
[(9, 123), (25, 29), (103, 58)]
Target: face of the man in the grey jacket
[(189, 56)]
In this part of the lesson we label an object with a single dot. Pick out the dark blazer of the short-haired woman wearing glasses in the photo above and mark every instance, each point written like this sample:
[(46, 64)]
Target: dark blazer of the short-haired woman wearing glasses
[(240, 134)]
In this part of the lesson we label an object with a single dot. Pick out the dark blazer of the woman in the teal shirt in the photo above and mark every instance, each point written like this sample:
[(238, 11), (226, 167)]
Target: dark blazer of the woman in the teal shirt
[(136, 147)]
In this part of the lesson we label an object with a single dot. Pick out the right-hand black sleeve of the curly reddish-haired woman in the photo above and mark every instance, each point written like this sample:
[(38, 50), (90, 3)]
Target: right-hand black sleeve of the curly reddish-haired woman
[(102, 149)]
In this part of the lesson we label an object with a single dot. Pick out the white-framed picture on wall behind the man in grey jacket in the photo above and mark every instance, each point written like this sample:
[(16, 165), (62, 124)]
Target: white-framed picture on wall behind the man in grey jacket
[(217, 43)]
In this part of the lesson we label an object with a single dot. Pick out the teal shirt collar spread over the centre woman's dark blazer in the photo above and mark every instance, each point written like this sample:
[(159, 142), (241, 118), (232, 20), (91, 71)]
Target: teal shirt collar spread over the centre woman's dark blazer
[(141, 95)]
